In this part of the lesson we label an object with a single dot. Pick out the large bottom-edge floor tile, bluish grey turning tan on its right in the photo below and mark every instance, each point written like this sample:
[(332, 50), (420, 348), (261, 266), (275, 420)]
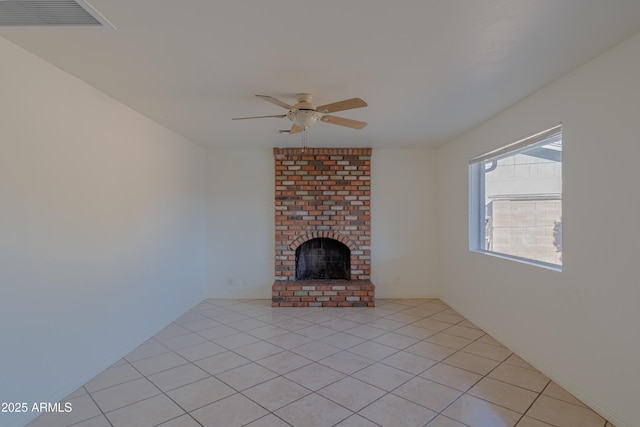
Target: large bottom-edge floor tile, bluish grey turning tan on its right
[(477, 412)]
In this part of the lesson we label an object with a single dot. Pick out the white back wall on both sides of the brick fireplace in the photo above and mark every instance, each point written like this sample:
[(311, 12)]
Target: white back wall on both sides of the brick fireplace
[(241, 223)]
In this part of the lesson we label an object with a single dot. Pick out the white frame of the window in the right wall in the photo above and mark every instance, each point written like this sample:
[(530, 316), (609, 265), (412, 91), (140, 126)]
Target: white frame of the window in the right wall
[(477, 208)]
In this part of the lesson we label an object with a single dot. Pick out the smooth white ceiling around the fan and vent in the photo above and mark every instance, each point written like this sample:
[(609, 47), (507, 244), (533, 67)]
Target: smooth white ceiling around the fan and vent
[(429, 69)]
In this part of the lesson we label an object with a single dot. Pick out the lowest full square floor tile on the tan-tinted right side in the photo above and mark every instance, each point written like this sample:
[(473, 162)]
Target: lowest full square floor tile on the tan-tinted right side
[(503, 394)]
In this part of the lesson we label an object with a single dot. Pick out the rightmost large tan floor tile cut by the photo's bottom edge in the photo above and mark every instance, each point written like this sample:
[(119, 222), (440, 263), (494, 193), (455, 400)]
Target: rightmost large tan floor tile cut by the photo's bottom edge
[(563, 414)]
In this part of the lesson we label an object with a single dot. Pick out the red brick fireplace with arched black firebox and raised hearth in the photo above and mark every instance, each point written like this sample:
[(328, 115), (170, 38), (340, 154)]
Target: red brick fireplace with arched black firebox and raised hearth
[(323, 228)]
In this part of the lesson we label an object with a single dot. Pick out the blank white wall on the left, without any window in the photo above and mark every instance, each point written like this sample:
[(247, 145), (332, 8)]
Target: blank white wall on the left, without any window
[(102, 230)]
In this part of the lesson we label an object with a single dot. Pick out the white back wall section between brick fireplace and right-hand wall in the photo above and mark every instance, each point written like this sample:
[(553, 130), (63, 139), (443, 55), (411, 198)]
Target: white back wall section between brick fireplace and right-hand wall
[(404, 229)]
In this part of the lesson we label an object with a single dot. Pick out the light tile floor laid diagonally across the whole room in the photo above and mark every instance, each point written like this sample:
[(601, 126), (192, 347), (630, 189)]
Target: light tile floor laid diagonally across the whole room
[(403, 363)]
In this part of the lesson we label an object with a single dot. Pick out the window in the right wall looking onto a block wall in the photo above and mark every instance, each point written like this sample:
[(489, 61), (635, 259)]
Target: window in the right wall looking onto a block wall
[(515, 199)]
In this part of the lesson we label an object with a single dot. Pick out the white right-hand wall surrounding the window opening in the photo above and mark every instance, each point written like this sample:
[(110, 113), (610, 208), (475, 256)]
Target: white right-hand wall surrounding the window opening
[(579, 326)]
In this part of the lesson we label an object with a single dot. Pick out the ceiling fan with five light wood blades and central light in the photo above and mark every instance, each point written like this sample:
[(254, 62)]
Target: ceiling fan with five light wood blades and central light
[(304, 114)]
